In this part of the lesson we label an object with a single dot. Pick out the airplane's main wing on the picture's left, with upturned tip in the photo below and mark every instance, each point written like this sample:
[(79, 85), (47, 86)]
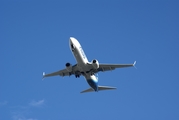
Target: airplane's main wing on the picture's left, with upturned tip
[(63, 72)]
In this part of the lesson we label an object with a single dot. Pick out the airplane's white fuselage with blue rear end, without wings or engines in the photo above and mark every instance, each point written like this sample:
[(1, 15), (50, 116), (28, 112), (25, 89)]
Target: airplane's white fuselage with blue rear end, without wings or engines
[(82, 63)]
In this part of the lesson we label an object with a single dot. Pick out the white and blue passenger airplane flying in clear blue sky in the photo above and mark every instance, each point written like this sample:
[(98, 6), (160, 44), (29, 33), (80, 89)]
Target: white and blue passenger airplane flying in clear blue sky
[(85, 68)]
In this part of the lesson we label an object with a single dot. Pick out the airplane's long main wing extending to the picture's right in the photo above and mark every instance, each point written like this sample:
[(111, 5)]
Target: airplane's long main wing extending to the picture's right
[(108, 67)]
